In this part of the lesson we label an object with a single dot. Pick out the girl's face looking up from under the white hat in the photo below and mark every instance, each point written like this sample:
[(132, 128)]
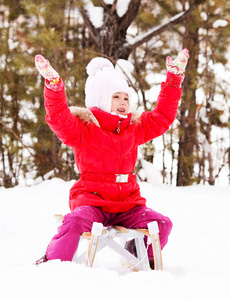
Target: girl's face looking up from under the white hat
[(120, 103)]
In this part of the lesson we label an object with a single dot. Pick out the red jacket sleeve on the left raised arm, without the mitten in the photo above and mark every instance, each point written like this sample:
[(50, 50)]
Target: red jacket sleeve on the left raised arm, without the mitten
[(68, 128)]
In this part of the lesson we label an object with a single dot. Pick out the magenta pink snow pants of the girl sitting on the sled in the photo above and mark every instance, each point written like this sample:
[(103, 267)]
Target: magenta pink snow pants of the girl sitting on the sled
[(64, 244)]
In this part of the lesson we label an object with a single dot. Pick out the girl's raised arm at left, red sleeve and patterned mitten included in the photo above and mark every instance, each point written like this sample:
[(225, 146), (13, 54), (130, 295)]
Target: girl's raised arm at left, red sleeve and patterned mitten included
[(67, 127)]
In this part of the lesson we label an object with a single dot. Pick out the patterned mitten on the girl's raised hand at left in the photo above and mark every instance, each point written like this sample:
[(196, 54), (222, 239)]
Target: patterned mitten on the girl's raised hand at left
[(46, 70)]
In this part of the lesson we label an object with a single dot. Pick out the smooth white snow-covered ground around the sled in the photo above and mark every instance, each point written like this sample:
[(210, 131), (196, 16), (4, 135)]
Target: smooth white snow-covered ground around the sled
[(196, 259)]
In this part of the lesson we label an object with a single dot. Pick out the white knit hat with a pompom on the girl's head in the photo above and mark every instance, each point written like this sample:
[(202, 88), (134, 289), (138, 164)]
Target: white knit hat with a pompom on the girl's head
[(102, 83)]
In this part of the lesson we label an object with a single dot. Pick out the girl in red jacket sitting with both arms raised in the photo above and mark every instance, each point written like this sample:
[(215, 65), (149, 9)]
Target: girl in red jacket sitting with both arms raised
[(105, 137)]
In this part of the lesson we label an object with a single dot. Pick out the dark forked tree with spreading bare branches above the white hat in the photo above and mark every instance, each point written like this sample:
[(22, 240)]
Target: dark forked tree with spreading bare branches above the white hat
[(111, 37)]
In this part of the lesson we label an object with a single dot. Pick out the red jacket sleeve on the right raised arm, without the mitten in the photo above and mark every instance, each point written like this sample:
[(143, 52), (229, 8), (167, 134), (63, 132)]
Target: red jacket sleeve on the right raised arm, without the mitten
[(158, 121)]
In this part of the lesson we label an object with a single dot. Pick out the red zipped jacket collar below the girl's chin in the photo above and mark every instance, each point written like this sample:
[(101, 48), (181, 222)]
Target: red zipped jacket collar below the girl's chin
[(110, 122)]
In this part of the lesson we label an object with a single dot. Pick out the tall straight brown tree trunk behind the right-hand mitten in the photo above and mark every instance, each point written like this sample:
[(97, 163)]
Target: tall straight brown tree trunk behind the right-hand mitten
[(187, 113)]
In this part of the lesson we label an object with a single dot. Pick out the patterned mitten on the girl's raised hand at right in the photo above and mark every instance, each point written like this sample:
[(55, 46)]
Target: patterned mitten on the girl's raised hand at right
[(179, 64)]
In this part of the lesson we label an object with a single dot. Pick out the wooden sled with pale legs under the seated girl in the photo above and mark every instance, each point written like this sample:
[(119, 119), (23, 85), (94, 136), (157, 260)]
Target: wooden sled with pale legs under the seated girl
[(100, 237)]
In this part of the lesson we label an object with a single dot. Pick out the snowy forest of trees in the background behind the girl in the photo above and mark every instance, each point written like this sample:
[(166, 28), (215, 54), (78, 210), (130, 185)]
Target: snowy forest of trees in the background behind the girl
[(137, 35)]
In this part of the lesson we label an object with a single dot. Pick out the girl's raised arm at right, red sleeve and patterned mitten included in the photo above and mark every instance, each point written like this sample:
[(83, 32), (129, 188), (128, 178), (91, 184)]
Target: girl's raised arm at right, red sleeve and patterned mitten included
[(158, 121)]
